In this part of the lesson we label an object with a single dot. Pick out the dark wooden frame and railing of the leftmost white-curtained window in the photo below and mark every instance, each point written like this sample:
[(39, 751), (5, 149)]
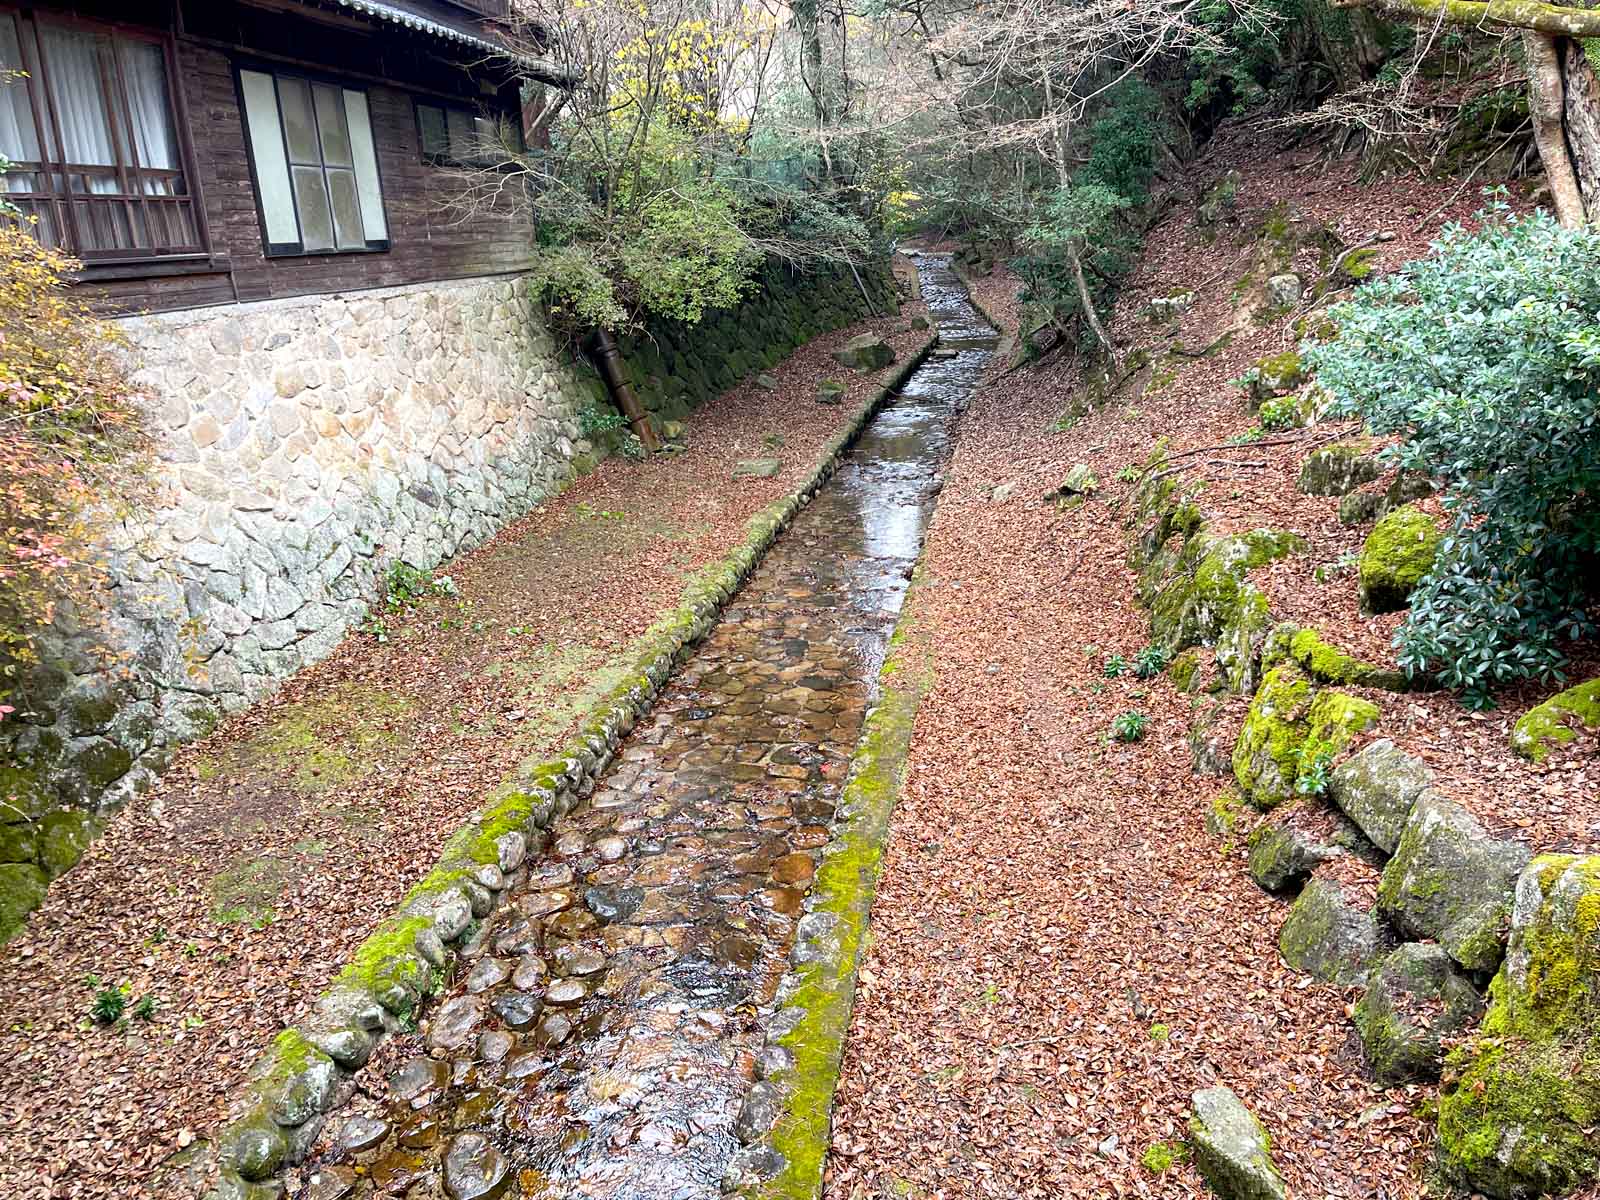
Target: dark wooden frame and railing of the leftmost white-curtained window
[(58, 196)]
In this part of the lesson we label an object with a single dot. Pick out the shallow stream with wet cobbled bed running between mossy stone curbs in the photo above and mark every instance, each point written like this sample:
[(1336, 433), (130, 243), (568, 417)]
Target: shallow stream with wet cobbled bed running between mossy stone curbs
[(604, 1031)]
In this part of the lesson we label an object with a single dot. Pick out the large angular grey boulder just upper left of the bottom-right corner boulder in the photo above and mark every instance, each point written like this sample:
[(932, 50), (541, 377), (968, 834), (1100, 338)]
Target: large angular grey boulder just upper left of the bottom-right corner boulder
[(1452, 882)]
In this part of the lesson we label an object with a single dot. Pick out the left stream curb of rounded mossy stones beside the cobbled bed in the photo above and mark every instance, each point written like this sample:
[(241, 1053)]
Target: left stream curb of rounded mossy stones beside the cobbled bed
[(406, 961)]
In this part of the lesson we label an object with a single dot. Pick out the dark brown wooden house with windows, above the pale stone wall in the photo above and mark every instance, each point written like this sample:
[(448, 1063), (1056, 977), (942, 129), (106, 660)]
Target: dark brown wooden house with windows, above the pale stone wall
[(201, 153)]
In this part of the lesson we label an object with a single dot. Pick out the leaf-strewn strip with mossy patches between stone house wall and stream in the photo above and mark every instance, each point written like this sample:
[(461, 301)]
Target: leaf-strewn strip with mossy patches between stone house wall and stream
[(233, 892)]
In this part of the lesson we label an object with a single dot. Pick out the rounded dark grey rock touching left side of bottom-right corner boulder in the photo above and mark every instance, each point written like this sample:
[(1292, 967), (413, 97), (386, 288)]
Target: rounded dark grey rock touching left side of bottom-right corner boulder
[(1417, 999)]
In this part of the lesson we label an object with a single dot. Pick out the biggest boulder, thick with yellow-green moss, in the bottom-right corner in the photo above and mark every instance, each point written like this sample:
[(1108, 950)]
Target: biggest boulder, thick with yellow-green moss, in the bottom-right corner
[(1521, 1105)]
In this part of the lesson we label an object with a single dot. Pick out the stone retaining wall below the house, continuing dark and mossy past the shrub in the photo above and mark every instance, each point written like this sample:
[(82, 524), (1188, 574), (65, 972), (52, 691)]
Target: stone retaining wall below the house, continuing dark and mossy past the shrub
[(305, 449)]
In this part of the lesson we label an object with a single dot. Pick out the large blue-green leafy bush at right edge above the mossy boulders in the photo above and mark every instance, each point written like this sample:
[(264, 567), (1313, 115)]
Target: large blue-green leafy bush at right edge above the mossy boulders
[(1486, 359)]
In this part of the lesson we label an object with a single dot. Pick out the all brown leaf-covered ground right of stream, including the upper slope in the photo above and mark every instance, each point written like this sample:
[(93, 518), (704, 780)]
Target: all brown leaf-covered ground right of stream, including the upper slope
[(1062, 953)]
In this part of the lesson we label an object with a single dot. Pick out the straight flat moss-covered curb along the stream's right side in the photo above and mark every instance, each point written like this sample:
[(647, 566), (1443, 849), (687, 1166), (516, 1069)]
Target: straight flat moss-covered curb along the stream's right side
[(807, 1036)]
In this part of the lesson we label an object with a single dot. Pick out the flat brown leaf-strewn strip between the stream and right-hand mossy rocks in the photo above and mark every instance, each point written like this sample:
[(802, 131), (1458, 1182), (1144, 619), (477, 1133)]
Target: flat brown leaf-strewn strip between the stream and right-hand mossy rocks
[(1062, 954)]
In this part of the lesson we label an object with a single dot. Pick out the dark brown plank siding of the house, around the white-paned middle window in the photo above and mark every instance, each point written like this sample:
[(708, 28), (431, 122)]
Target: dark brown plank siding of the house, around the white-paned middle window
[(426, 241)]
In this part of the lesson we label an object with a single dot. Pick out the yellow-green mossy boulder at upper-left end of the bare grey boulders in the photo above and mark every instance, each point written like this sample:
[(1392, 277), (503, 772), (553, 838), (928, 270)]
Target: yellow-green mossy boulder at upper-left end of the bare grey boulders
[(1287, 721)]
